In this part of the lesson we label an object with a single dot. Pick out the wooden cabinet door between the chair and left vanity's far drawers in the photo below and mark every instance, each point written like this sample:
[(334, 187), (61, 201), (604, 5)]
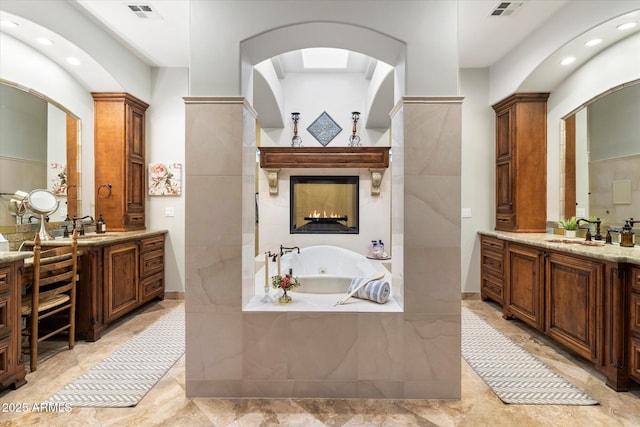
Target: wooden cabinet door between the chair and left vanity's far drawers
[(120, 279)]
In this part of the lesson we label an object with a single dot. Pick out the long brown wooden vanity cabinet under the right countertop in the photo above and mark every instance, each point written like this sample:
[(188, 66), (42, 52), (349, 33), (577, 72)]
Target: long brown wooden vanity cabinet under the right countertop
[(589, 305)]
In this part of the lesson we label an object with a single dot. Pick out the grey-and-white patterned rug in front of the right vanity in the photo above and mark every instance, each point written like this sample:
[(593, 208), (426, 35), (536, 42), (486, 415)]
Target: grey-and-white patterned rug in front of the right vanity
[(514, 375)]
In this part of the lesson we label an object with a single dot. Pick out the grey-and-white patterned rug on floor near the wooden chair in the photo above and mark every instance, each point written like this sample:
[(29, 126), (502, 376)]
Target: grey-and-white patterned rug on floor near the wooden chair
[(124, 378)]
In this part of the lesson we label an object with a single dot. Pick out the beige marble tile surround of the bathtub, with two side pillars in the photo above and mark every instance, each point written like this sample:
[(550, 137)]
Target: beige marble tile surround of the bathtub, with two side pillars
[(231, 353)]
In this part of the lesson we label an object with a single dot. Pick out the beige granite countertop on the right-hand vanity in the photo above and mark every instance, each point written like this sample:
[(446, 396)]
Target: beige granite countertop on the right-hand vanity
[(576, 246)]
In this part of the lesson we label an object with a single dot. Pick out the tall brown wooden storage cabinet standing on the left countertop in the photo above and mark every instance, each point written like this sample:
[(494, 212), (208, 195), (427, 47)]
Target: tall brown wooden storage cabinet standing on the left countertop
[(120, 160)]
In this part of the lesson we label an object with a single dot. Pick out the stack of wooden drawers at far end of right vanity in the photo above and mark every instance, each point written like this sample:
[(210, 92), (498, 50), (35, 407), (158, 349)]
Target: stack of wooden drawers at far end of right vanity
[(492, 269)]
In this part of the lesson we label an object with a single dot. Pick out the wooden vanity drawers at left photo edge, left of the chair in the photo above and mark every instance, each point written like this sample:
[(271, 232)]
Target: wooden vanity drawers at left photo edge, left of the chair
[(12, 371)]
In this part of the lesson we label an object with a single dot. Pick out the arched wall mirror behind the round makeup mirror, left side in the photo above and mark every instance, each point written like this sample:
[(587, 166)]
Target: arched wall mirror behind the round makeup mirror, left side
[(39, 149)]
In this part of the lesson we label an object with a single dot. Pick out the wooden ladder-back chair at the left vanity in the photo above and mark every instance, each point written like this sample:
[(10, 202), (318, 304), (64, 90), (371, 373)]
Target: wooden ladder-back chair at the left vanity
[(52, 291)]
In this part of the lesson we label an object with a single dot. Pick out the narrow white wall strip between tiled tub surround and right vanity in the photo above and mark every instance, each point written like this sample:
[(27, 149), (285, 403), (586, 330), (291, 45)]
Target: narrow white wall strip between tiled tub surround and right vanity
[(478, 171)]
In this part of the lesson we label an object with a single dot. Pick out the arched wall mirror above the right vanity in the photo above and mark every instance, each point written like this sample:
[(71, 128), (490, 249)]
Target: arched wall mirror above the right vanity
[(602, 157)]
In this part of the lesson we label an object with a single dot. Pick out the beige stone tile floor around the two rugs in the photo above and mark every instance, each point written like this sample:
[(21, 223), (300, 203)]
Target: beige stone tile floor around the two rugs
[(167, 405)]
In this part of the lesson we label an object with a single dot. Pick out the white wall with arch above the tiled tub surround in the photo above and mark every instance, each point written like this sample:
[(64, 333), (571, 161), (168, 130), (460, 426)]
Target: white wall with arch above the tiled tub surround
[(215, 60)]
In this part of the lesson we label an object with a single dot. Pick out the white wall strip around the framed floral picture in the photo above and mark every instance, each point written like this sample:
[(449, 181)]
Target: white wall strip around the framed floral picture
[(166, 144)]
